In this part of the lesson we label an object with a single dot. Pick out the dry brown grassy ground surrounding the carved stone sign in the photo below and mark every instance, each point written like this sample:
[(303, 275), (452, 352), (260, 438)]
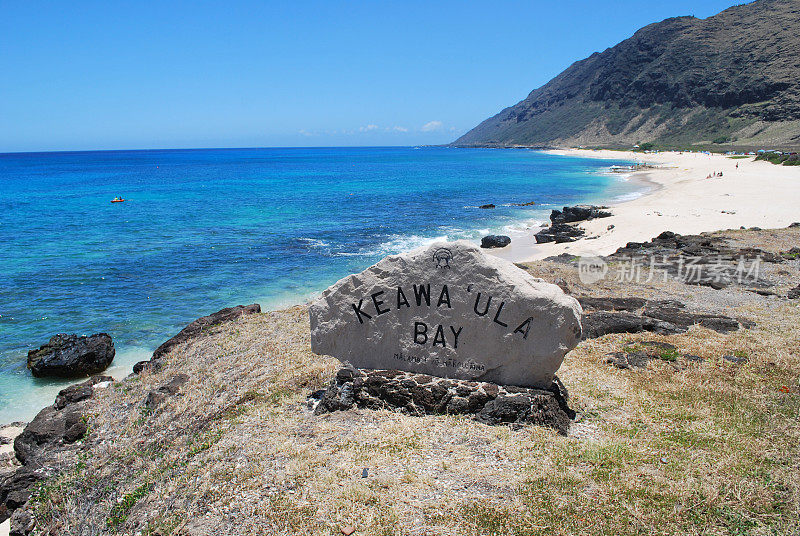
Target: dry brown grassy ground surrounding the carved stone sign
[(710, 449)]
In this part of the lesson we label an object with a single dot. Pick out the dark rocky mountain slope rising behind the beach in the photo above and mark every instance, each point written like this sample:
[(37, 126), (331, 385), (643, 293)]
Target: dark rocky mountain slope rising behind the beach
[(728, 79)]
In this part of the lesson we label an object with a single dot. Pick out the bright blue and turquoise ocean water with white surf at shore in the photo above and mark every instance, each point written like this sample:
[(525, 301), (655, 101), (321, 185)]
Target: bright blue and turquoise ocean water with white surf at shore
[(206, 229)]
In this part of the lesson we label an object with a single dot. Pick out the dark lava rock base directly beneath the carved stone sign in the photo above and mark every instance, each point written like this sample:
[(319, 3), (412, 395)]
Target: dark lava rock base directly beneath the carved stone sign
[(420, 394)]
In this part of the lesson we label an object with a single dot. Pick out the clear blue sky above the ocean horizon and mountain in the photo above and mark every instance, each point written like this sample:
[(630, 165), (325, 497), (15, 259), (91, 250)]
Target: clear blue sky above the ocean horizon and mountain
[(124, 75)]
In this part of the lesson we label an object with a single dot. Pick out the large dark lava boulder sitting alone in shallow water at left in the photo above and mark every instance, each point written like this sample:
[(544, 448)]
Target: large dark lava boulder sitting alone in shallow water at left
[(70, 356)]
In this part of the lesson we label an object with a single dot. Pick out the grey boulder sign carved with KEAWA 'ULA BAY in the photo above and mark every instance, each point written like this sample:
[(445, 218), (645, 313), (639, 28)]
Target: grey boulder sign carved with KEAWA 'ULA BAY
[(448, 310)]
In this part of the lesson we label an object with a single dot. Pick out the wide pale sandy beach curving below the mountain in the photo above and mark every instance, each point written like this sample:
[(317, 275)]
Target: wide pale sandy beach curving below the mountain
[(681, 199)]
